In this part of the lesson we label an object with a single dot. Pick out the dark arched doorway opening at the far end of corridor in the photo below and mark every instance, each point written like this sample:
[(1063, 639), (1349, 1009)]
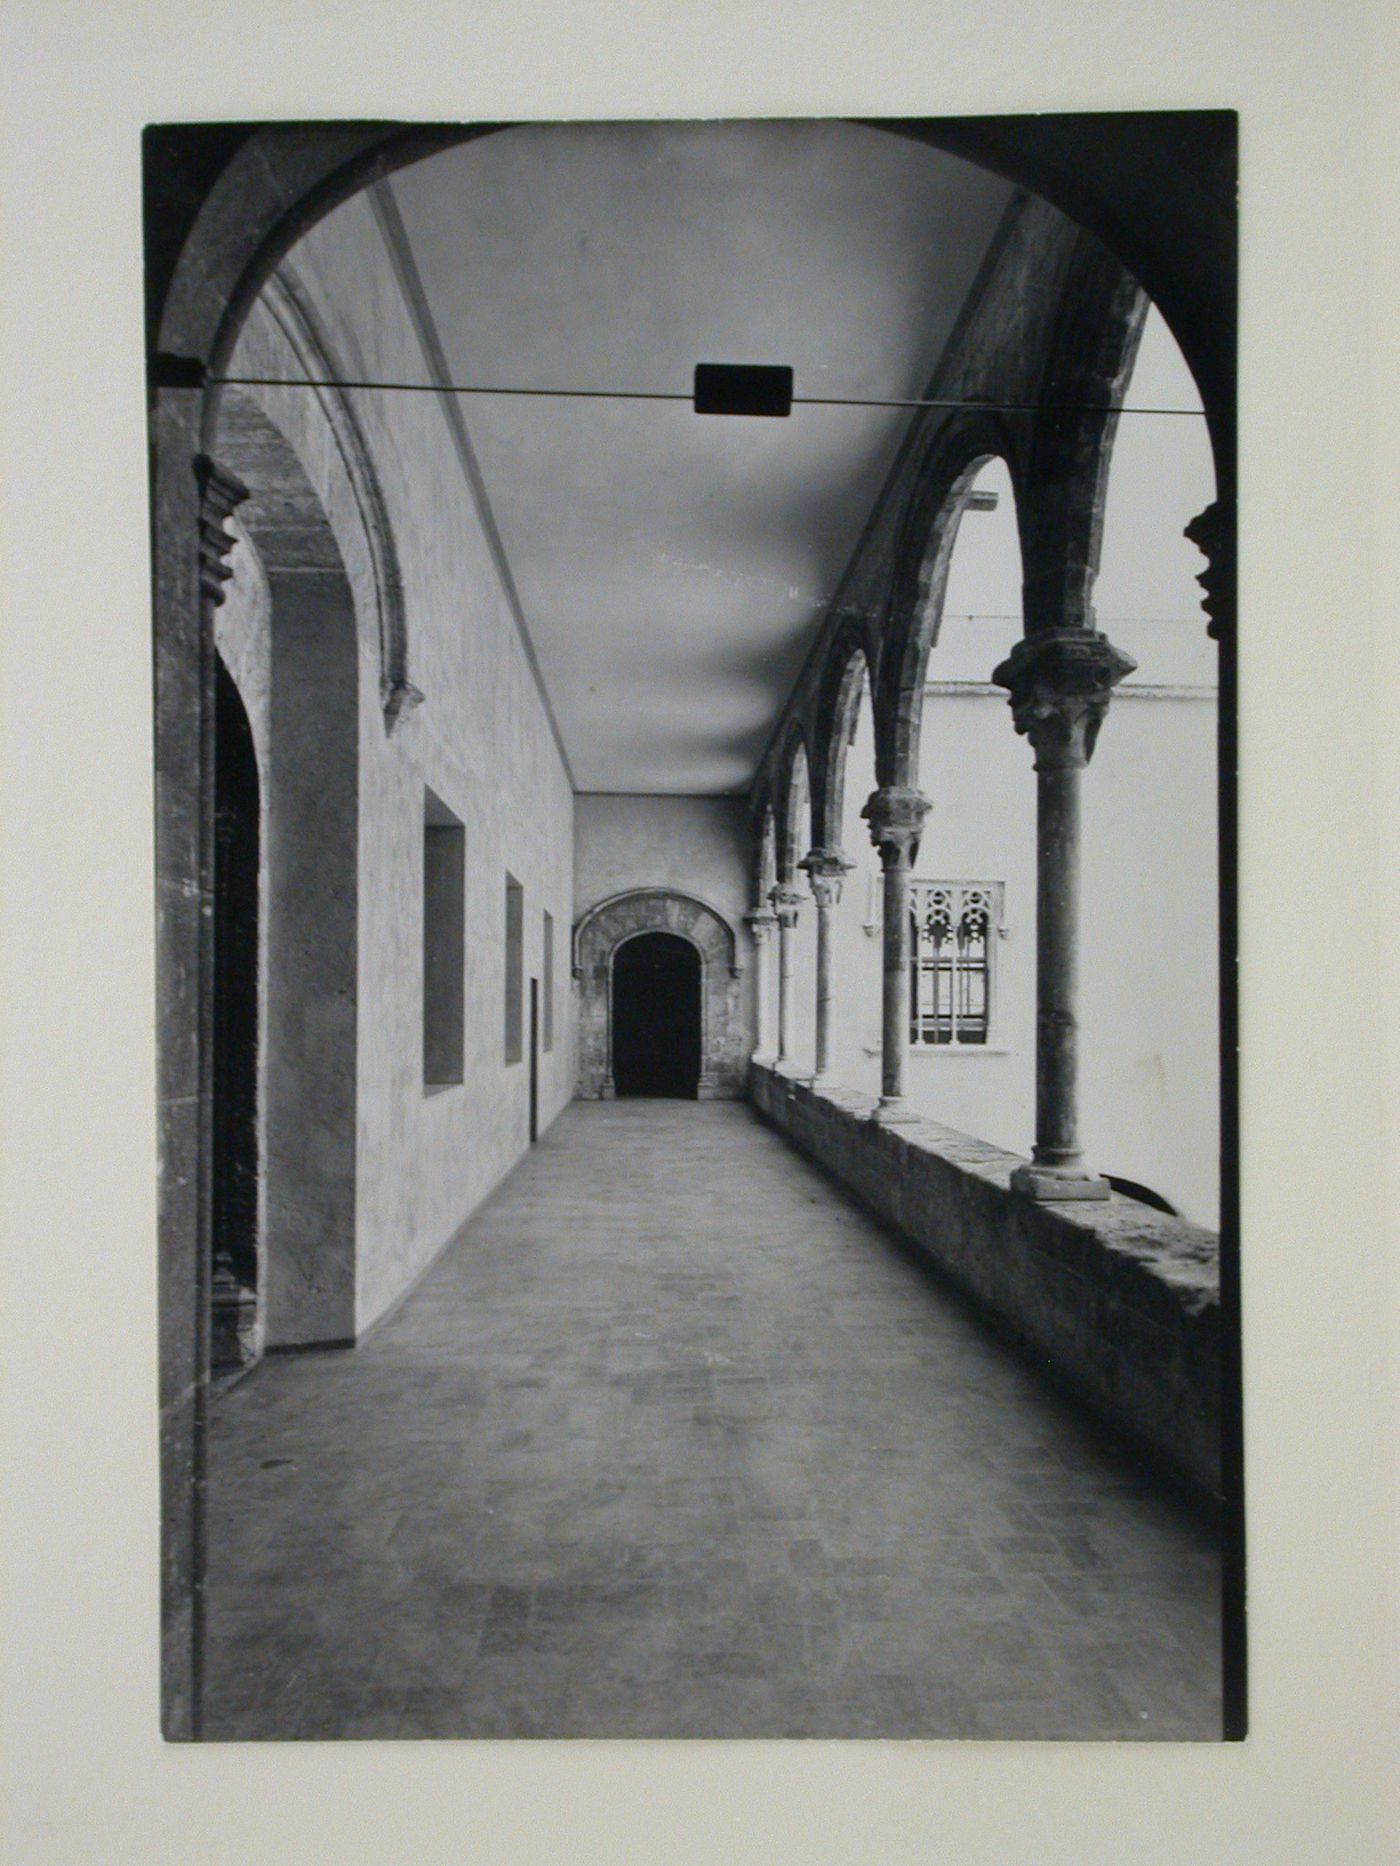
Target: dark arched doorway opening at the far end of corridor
[(656, 1018)]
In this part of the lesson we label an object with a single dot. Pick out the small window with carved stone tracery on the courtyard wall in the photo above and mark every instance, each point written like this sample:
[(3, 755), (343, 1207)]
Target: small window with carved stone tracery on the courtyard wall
[(951, 971)]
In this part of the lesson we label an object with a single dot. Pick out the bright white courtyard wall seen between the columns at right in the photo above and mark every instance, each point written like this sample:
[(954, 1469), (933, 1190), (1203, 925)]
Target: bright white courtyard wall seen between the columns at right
[(1149, 917)]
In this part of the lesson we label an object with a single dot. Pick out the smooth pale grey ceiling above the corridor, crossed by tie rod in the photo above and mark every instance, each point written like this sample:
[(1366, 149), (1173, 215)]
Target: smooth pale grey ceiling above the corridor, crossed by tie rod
[(673, 568)]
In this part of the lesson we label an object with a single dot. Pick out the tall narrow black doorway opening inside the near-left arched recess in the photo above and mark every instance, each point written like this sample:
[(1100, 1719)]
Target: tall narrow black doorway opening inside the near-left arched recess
[(234, 1281)]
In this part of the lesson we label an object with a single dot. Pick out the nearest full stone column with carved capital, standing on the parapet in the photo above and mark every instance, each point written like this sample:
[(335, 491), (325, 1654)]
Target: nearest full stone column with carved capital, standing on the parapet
[(1059, 684)]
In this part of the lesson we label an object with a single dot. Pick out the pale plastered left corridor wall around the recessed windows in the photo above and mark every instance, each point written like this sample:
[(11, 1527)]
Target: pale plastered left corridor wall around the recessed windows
[(481, 742)]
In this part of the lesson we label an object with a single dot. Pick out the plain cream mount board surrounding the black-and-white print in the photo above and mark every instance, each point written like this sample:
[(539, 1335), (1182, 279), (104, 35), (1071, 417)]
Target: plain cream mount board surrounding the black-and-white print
[(1317, 96)]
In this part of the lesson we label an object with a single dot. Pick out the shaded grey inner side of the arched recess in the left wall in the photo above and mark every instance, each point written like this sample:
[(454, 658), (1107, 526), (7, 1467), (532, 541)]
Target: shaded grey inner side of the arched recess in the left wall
[(305, 645)]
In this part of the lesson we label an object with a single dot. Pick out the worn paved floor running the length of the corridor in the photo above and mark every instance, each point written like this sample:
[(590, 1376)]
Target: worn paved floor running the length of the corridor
[(675, 1441)]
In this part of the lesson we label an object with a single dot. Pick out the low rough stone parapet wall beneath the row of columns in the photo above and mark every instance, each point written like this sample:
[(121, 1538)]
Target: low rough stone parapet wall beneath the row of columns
[(1119, 1302)]
